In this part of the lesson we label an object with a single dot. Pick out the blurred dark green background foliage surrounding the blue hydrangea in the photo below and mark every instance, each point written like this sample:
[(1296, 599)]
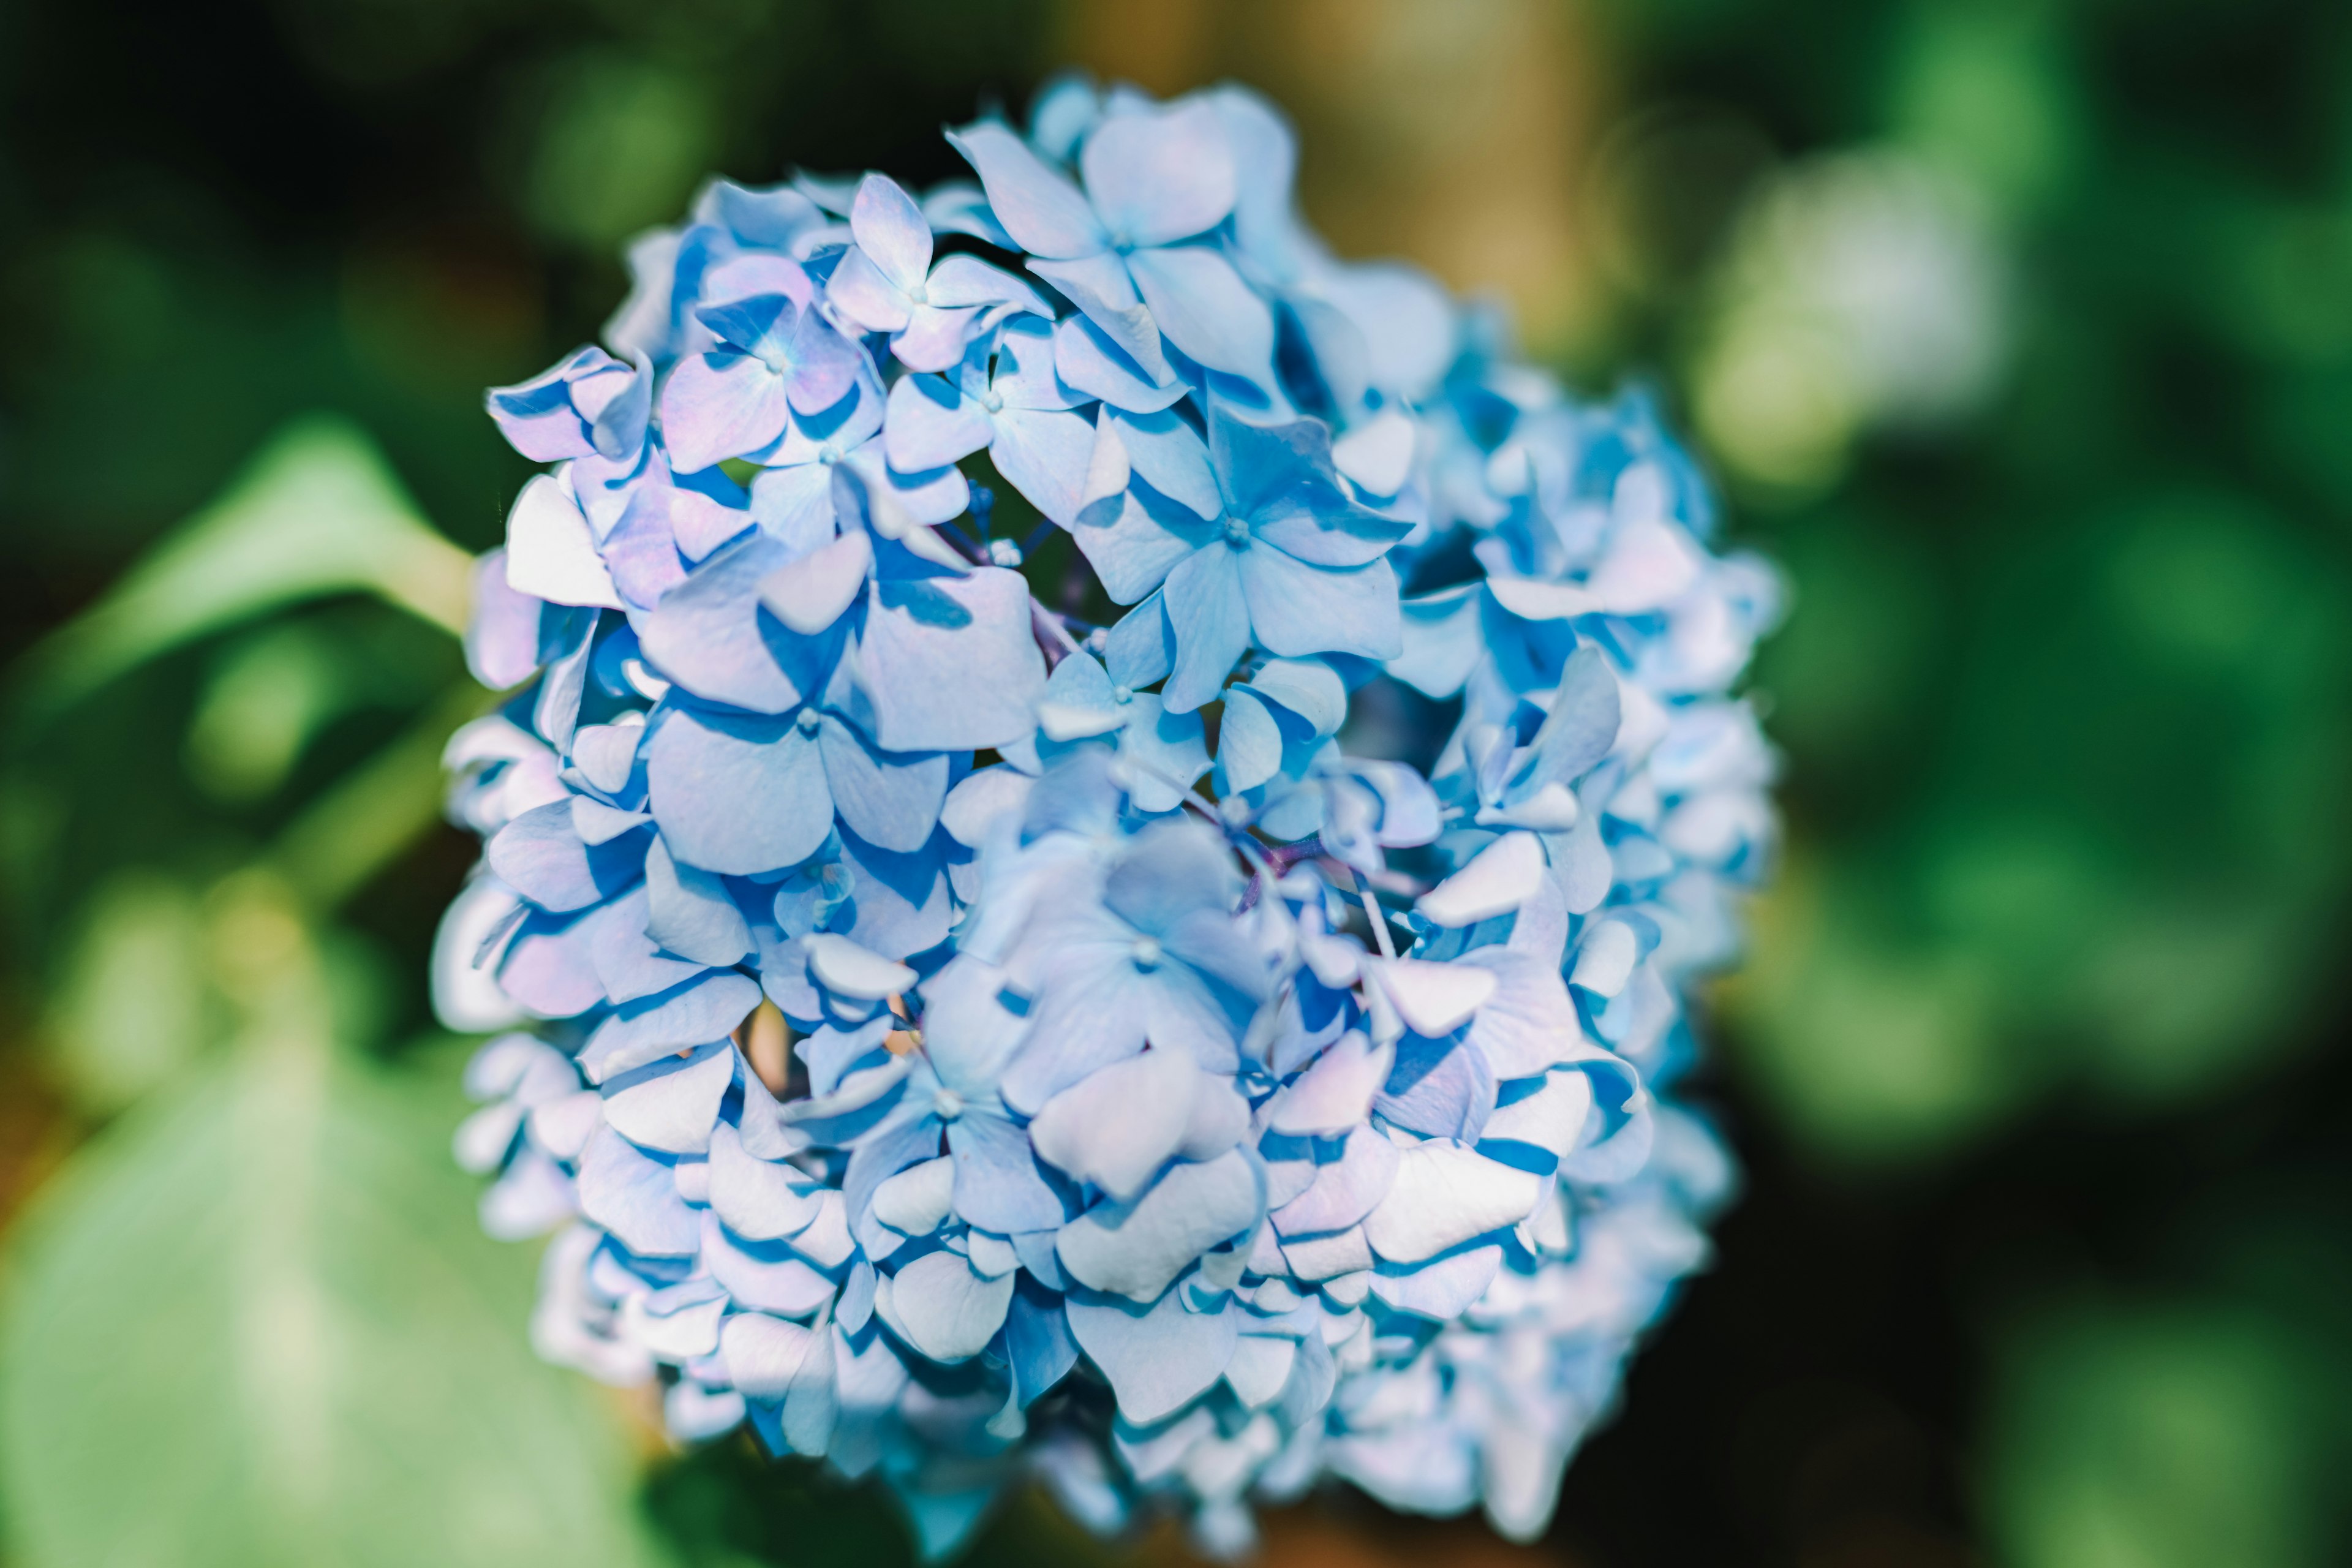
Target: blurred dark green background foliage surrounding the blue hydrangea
[(2019, 330)]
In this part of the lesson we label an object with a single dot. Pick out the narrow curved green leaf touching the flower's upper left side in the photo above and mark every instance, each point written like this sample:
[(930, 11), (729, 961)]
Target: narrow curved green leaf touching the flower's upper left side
[(316, 514)]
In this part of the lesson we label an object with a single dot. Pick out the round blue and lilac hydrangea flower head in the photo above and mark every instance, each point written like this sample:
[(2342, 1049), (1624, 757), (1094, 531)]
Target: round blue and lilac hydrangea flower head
[(965, 1043)]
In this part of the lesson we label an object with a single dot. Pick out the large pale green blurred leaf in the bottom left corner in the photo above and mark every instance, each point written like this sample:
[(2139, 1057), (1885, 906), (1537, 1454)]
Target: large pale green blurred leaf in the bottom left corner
[(255, 1325)]
